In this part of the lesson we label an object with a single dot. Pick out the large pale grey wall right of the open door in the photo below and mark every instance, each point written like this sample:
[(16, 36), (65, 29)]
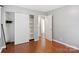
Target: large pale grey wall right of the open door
[(66, 25)]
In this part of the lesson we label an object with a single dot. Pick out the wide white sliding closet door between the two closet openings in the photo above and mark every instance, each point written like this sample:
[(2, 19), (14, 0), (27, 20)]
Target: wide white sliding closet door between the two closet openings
[(21, 28)]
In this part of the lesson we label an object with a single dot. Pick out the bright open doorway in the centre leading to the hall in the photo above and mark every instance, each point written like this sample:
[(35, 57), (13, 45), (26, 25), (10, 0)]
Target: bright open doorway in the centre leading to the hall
[(42, 31)]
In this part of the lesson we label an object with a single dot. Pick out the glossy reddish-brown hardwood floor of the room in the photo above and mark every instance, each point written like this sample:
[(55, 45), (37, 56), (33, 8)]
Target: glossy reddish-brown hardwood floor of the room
[(35, 47)]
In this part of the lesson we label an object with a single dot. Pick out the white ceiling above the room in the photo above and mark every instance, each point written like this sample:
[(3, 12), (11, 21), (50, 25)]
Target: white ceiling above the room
[(43, 8)]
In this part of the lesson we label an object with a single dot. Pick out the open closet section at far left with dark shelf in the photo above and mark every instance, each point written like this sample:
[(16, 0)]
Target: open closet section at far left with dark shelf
[(9, 23)]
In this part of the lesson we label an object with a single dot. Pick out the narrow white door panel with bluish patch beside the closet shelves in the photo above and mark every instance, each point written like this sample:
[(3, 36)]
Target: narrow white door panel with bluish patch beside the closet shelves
[(36, 32)]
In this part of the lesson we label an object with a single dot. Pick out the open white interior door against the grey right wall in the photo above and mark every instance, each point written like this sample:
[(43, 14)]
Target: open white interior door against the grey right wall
[(49, 27)]
